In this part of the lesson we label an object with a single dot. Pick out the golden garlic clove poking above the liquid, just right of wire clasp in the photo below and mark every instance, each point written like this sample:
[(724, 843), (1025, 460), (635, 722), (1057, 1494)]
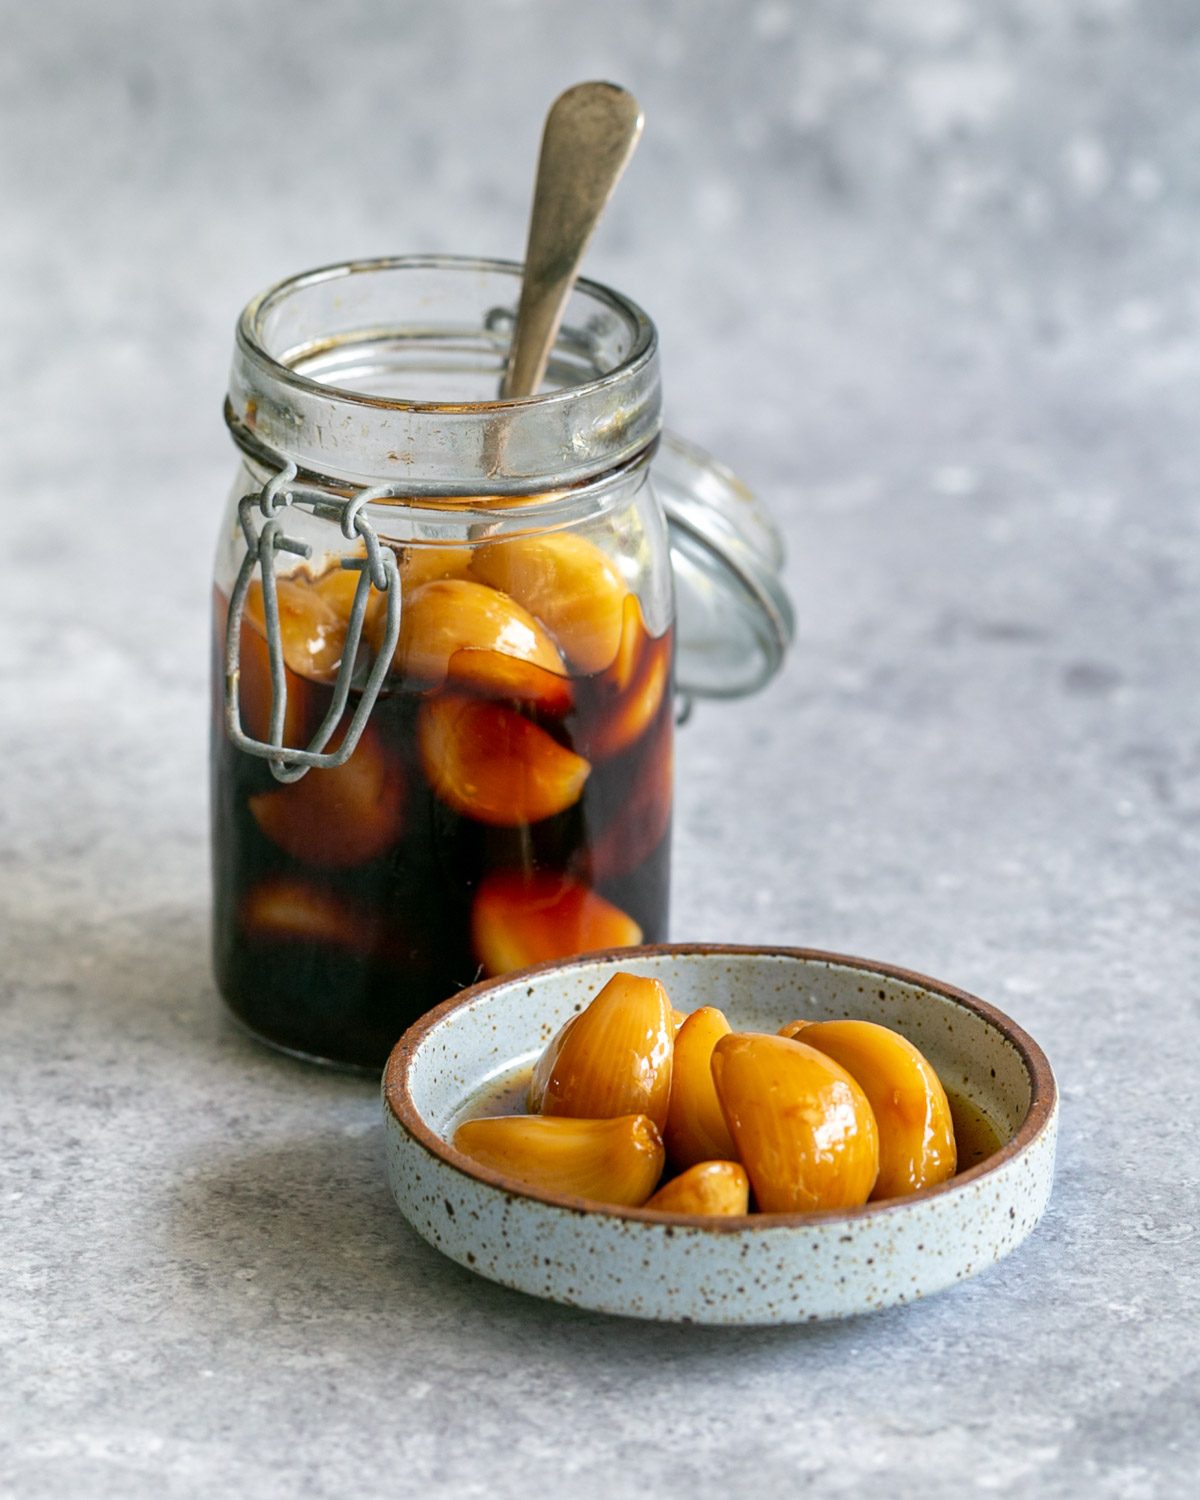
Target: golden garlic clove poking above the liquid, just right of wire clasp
[(443, 617)]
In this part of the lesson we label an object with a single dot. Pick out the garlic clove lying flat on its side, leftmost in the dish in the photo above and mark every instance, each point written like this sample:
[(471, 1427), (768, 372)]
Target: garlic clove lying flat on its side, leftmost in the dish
[(605, 1160)]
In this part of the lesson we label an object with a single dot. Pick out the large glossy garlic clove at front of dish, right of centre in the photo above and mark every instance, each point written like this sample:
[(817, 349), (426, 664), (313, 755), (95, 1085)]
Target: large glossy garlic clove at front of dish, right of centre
[(803, 1127)]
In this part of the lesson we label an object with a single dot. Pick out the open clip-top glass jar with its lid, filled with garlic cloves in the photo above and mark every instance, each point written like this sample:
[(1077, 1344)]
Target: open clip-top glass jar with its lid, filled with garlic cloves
[(445, 635)]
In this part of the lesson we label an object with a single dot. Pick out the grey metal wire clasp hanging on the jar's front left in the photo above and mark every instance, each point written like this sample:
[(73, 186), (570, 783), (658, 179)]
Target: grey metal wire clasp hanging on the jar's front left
[(379, 568)]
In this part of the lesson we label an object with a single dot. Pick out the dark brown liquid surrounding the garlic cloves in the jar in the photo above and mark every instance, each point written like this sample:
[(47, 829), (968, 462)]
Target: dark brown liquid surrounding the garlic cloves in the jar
[(337, 961)]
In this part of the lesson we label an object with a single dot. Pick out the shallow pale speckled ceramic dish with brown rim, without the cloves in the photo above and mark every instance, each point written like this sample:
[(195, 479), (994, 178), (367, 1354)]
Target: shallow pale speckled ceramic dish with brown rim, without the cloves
[(473, 1054)]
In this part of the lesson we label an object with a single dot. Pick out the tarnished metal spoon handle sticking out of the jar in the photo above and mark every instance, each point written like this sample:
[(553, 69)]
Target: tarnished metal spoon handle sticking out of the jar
[(590, 136)]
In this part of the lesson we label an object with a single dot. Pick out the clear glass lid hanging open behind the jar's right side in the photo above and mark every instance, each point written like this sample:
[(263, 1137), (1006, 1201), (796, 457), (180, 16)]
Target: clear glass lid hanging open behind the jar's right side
[(736, 622)]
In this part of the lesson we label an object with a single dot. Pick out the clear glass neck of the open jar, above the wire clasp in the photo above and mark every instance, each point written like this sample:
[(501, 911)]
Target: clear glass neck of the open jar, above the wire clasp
[(389, 370)]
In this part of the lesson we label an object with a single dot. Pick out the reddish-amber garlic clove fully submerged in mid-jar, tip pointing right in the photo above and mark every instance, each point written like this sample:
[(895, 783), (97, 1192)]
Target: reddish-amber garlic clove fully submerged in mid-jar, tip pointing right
[(490, 764)]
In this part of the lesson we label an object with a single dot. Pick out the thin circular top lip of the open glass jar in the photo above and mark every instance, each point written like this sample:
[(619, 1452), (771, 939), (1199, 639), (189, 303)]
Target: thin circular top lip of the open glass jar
[(253, 337)]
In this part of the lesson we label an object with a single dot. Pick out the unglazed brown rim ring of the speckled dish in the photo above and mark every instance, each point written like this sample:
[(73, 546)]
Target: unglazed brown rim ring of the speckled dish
[(398, 1097)]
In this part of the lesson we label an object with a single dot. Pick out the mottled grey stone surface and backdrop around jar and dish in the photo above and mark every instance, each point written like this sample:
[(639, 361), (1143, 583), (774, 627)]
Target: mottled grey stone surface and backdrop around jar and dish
[(929, 281)]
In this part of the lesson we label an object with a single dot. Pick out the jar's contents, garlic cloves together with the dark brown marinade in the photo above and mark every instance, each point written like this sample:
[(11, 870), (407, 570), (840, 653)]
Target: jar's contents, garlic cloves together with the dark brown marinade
[(500, 809)]
